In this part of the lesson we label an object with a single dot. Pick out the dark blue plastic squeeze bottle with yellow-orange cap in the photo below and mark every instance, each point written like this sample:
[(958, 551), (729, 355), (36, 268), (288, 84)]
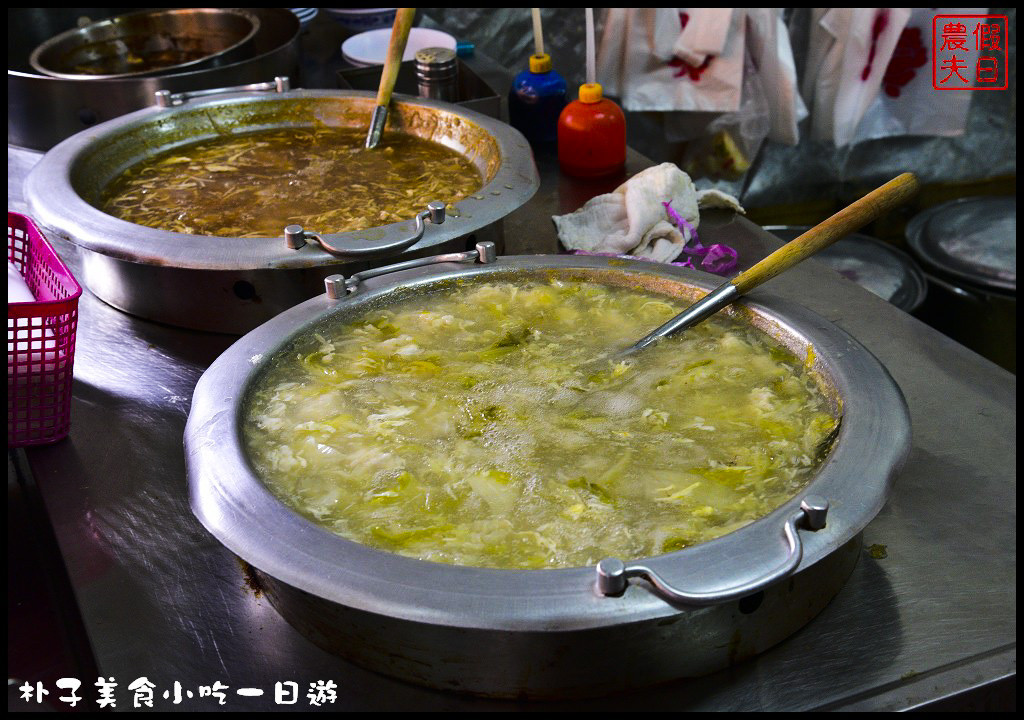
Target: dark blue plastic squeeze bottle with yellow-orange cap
[(536, 100)]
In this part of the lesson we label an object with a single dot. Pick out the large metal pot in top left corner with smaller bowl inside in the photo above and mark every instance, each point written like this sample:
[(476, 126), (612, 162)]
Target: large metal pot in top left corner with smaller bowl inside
[(42, 111)]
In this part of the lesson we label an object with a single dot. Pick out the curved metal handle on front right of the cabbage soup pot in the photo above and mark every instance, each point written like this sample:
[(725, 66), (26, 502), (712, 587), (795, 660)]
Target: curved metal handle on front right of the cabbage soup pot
[(614, 575)]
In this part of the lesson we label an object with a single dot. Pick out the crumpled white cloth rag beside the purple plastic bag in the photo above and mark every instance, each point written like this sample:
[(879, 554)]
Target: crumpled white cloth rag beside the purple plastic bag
[(632, 220)]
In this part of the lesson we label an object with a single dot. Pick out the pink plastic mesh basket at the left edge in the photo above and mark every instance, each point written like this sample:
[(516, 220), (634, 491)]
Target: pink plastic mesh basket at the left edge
[(40, 340)]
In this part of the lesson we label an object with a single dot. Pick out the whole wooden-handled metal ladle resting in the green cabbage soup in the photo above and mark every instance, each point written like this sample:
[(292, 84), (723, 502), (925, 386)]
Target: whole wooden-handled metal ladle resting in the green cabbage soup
[(848, 221)]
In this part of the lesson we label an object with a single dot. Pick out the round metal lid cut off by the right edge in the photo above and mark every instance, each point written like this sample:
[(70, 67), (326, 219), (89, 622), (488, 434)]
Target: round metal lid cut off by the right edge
[(973, 240)]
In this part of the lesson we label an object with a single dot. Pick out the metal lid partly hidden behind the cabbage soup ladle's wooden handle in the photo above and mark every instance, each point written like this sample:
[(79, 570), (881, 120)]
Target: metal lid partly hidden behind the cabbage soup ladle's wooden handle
[(875, 266)]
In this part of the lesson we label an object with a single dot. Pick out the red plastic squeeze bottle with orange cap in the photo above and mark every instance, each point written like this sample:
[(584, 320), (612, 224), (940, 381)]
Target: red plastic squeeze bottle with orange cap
[(592, 136)]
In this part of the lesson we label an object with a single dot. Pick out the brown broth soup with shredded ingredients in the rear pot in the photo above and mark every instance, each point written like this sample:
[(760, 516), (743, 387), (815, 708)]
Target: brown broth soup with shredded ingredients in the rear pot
[(253, 186)]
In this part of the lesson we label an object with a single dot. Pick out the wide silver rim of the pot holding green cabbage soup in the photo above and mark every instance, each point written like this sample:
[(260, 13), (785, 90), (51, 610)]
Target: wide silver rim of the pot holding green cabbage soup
[(231, 501)]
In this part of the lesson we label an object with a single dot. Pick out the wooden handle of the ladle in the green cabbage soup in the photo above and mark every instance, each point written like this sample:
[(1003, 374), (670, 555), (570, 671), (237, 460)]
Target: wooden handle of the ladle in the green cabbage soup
[(848, 221)]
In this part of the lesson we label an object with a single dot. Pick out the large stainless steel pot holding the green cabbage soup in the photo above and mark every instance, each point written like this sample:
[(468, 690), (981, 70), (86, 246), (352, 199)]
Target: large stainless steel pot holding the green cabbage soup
[(551, 633)]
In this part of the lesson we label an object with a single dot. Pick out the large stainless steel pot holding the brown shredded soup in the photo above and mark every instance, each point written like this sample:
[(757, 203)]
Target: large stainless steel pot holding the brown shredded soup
[(234, 284)]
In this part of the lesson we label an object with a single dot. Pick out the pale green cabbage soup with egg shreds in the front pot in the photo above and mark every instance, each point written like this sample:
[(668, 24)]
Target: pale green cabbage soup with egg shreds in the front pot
[(460, 428)]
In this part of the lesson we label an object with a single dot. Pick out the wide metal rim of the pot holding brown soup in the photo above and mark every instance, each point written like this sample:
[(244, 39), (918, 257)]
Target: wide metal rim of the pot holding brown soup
[(57, 204)]
